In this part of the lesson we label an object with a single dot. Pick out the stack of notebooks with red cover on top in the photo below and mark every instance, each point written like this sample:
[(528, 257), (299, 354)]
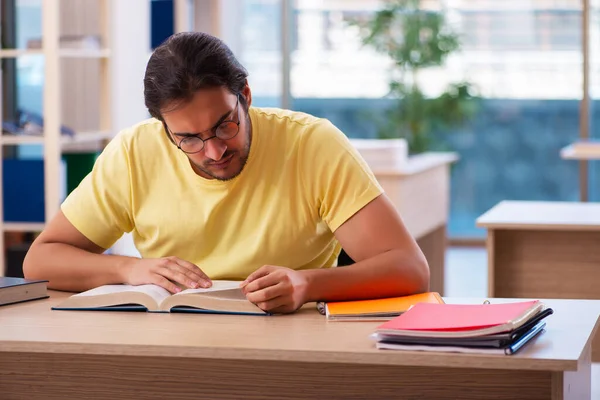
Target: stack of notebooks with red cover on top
[(502, 328)]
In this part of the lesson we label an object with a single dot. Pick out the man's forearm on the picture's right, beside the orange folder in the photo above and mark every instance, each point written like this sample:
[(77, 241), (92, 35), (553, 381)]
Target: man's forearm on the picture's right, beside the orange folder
[(393, 273)]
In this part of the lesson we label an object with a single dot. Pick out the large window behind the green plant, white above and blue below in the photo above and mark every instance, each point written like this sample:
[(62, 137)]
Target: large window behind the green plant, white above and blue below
[(525, 59)]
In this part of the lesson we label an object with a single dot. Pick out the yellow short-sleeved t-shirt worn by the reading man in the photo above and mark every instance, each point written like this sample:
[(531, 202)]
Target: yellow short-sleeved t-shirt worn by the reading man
[(302, 180)]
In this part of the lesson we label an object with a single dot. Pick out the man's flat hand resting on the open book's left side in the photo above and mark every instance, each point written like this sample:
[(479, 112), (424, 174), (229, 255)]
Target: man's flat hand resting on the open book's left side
[(166, 272)]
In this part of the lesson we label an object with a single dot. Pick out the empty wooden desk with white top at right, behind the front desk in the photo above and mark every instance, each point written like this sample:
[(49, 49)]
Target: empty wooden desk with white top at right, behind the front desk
[(544, 250)]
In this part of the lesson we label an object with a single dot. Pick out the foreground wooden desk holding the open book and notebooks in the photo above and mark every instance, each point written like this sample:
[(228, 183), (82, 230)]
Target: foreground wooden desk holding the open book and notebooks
[(48, 354)]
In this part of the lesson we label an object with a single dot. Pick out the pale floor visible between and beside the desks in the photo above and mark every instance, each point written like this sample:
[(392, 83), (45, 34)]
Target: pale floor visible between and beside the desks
[(466, 276)]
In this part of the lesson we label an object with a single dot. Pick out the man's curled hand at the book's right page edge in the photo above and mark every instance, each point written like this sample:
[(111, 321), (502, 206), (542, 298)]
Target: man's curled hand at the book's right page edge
[(276, 289)]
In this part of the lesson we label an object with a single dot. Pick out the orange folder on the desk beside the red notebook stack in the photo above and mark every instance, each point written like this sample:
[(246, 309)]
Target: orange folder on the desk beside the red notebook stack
[(377, 309)]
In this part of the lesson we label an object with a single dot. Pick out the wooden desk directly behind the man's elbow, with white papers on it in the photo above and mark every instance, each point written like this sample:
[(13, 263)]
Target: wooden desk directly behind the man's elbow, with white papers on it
[(420, 190)]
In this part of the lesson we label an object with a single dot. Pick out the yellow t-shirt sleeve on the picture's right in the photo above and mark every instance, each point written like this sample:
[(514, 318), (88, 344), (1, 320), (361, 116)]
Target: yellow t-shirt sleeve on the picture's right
[(338, 179)]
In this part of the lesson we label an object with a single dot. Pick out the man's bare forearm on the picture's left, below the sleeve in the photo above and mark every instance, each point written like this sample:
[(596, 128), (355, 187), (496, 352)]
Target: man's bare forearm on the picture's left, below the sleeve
[(72, 269)]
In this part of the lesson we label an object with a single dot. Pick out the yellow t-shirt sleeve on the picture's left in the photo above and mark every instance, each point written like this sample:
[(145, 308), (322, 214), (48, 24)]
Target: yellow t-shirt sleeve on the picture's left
[(100, 206)]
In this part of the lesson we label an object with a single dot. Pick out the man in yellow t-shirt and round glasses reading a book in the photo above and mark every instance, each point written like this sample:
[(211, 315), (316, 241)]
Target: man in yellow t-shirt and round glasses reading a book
[(213, 188)]
